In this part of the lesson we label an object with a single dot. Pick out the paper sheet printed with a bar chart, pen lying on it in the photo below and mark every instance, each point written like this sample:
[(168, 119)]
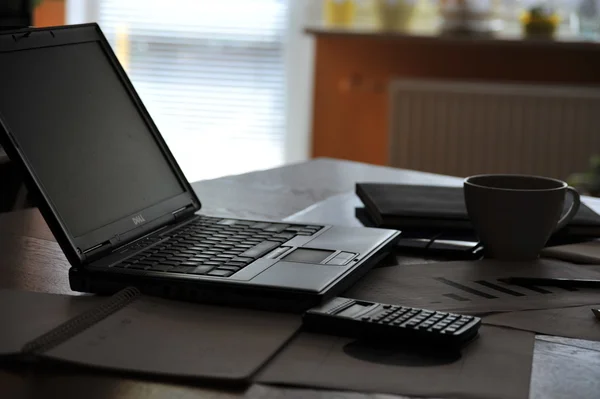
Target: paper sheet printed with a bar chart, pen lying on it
[(473, 286)]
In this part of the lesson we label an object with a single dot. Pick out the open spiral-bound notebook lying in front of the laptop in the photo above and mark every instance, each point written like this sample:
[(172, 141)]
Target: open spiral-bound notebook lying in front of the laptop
[(142, 335)]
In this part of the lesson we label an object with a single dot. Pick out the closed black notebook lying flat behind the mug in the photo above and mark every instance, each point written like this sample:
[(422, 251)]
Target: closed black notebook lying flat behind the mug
[(410, 207)]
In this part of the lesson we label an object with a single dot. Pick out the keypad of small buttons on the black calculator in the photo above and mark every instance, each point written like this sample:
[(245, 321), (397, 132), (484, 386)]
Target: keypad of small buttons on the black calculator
[(420, 319)]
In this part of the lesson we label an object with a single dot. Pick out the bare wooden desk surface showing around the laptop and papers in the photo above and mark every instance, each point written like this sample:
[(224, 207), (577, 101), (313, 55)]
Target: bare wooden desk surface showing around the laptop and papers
[(31, 260)]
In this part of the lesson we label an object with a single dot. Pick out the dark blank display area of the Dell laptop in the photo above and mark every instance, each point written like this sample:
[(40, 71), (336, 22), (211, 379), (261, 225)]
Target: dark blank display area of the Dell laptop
[(82, 135)]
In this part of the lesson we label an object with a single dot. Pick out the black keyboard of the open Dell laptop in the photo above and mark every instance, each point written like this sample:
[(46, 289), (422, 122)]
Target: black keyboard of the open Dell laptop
[(215, 246)]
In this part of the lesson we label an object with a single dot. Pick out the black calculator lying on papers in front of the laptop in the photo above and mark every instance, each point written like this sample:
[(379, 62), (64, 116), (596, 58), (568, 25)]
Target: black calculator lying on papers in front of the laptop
[(377, 321)]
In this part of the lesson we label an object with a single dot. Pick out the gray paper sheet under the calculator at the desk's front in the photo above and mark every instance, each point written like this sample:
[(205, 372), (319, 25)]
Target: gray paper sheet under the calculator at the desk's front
[(496, 365)]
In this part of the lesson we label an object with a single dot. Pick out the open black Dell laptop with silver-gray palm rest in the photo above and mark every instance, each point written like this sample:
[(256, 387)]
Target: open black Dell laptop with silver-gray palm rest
[(119, 205)]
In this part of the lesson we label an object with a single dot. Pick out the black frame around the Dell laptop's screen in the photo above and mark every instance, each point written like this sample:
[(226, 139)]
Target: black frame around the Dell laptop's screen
[(122, 230)]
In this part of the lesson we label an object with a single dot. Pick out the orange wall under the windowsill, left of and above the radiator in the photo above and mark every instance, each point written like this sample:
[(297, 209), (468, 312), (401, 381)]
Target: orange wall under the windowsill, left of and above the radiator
[(353, 70)]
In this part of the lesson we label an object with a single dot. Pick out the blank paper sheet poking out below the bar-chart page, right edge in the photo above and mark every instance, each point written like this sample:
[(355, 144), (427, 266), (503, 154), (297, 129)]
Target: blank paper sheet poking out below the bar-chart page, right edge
[(575, 322)]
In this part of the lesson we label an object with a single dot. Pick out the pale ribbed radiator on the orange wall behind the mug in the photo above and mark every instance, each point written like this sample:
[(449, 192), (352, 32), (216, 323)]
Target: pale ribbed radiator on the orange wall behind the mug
[(467, 128)]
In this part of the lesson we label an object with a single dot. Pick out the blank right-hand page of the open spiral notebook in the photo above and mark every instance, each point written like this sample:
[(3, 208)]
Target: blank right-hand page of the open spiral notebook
[(157, 336)]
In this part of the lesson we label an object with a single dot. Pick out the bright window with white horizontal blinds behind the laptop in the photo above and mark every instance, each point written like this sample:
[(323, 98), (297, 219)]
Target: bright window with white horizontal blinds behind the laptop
[(212, 75)]
